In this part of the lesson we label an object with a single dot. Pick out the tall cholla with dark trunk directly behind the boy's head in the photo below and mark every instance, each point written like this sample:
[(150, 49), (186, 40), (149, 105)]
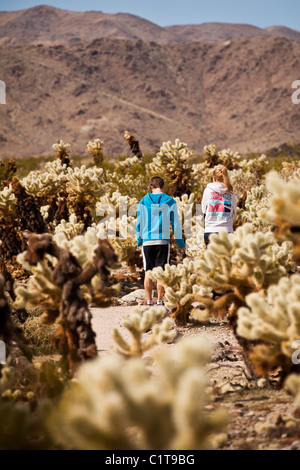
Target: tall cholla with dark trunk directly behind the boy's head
[(173, 162)]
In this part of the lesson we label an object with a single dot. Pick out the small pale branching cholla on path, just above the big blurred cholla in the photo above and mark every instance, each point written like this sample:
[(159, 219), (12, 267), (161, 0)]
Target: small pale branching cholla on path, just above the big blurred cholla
[(140, 322)]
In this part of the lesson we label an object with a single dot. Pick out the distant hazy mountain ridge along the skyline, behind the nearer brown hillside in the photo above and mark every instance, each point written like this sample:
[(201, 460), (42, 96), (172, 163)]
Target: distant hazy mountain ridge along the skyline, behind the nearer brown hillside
[(48, 25)]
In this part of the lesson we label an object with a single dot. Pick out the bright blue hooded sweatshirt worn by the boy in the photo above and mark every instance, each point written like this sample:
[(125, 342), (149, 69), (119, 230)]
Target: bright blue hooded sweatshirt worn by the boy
[(155, 213)]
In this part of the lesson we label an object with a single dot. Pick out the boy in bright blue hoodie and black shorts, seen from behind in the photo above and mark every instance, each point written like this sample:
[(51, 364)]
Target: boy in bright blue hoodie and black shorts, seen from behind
[(155, 213)]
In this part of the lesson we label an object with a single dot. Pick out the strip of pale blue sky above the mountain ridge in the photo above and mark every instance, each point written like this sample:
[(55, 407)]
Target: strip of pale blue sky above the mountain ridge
[(257, 12)]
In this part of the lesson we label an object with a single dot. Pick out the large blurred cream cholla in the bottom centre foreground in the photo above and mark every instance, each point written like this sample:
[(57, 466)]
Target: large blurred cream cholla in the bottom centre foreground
[(117, 404)]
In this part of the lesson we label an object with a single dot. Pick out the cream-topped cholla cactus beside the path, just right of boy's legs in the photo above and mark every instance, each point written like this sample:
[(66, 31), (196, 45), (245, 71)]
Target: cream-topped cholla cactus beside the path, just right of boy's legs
[(181, 287)]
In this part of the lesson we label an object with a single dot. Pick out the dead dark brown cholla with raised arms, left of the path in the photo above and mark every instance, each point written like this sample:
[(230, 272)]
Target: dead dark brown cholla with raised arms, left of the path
[(75, 336)]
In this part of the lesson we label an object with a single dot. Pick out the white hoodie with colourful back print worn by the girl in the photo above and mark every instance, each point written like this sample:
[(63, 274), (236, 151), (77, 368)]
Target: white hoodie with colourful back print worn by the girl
[(219, 207)]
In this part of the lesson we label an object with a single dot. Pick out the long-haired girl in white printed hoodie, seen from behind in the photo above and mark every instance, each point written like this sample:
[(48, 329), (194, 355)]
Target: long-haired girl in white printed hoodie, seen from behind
[(218, 203)]
